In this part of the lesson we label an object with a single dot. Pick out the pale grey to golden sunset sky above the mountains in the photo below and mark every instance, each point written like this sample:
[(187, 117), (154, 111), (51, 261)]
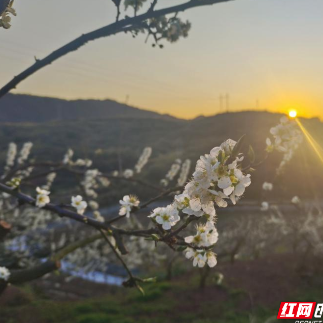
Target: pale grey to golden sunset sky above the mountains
[(265, 54)]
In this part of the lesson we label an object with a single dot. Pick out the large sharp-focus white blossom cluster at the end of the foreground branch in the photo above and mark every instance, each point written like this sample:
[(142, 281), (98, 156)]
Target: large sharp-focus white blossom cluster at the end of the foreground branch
[(217, 178)]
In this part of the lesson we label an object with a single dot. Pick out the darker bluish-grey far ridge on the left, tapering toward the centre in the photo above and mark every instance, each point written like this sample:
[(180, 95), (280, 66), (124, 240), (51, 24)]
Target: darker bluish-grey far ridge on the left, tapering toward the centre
[(28, 108)]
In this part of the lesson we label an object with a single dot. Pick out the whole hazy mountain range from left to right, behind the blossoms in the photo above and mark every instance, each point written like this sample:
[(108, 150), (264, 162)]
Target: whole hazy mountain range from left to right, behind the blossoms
[(108, 132)]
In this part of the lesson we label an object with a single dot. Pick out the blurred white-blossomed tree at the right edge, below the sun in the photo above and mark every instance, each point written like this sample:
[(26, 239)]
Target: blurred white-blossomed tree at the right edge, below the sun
[(303, 229)]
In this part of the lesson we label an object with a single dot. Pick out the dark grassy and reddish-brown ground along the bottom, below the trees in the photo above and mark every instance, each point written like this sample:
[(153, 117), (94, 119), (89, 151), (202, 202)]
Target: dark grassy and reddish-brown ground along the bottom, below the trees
[(251, 292)]
